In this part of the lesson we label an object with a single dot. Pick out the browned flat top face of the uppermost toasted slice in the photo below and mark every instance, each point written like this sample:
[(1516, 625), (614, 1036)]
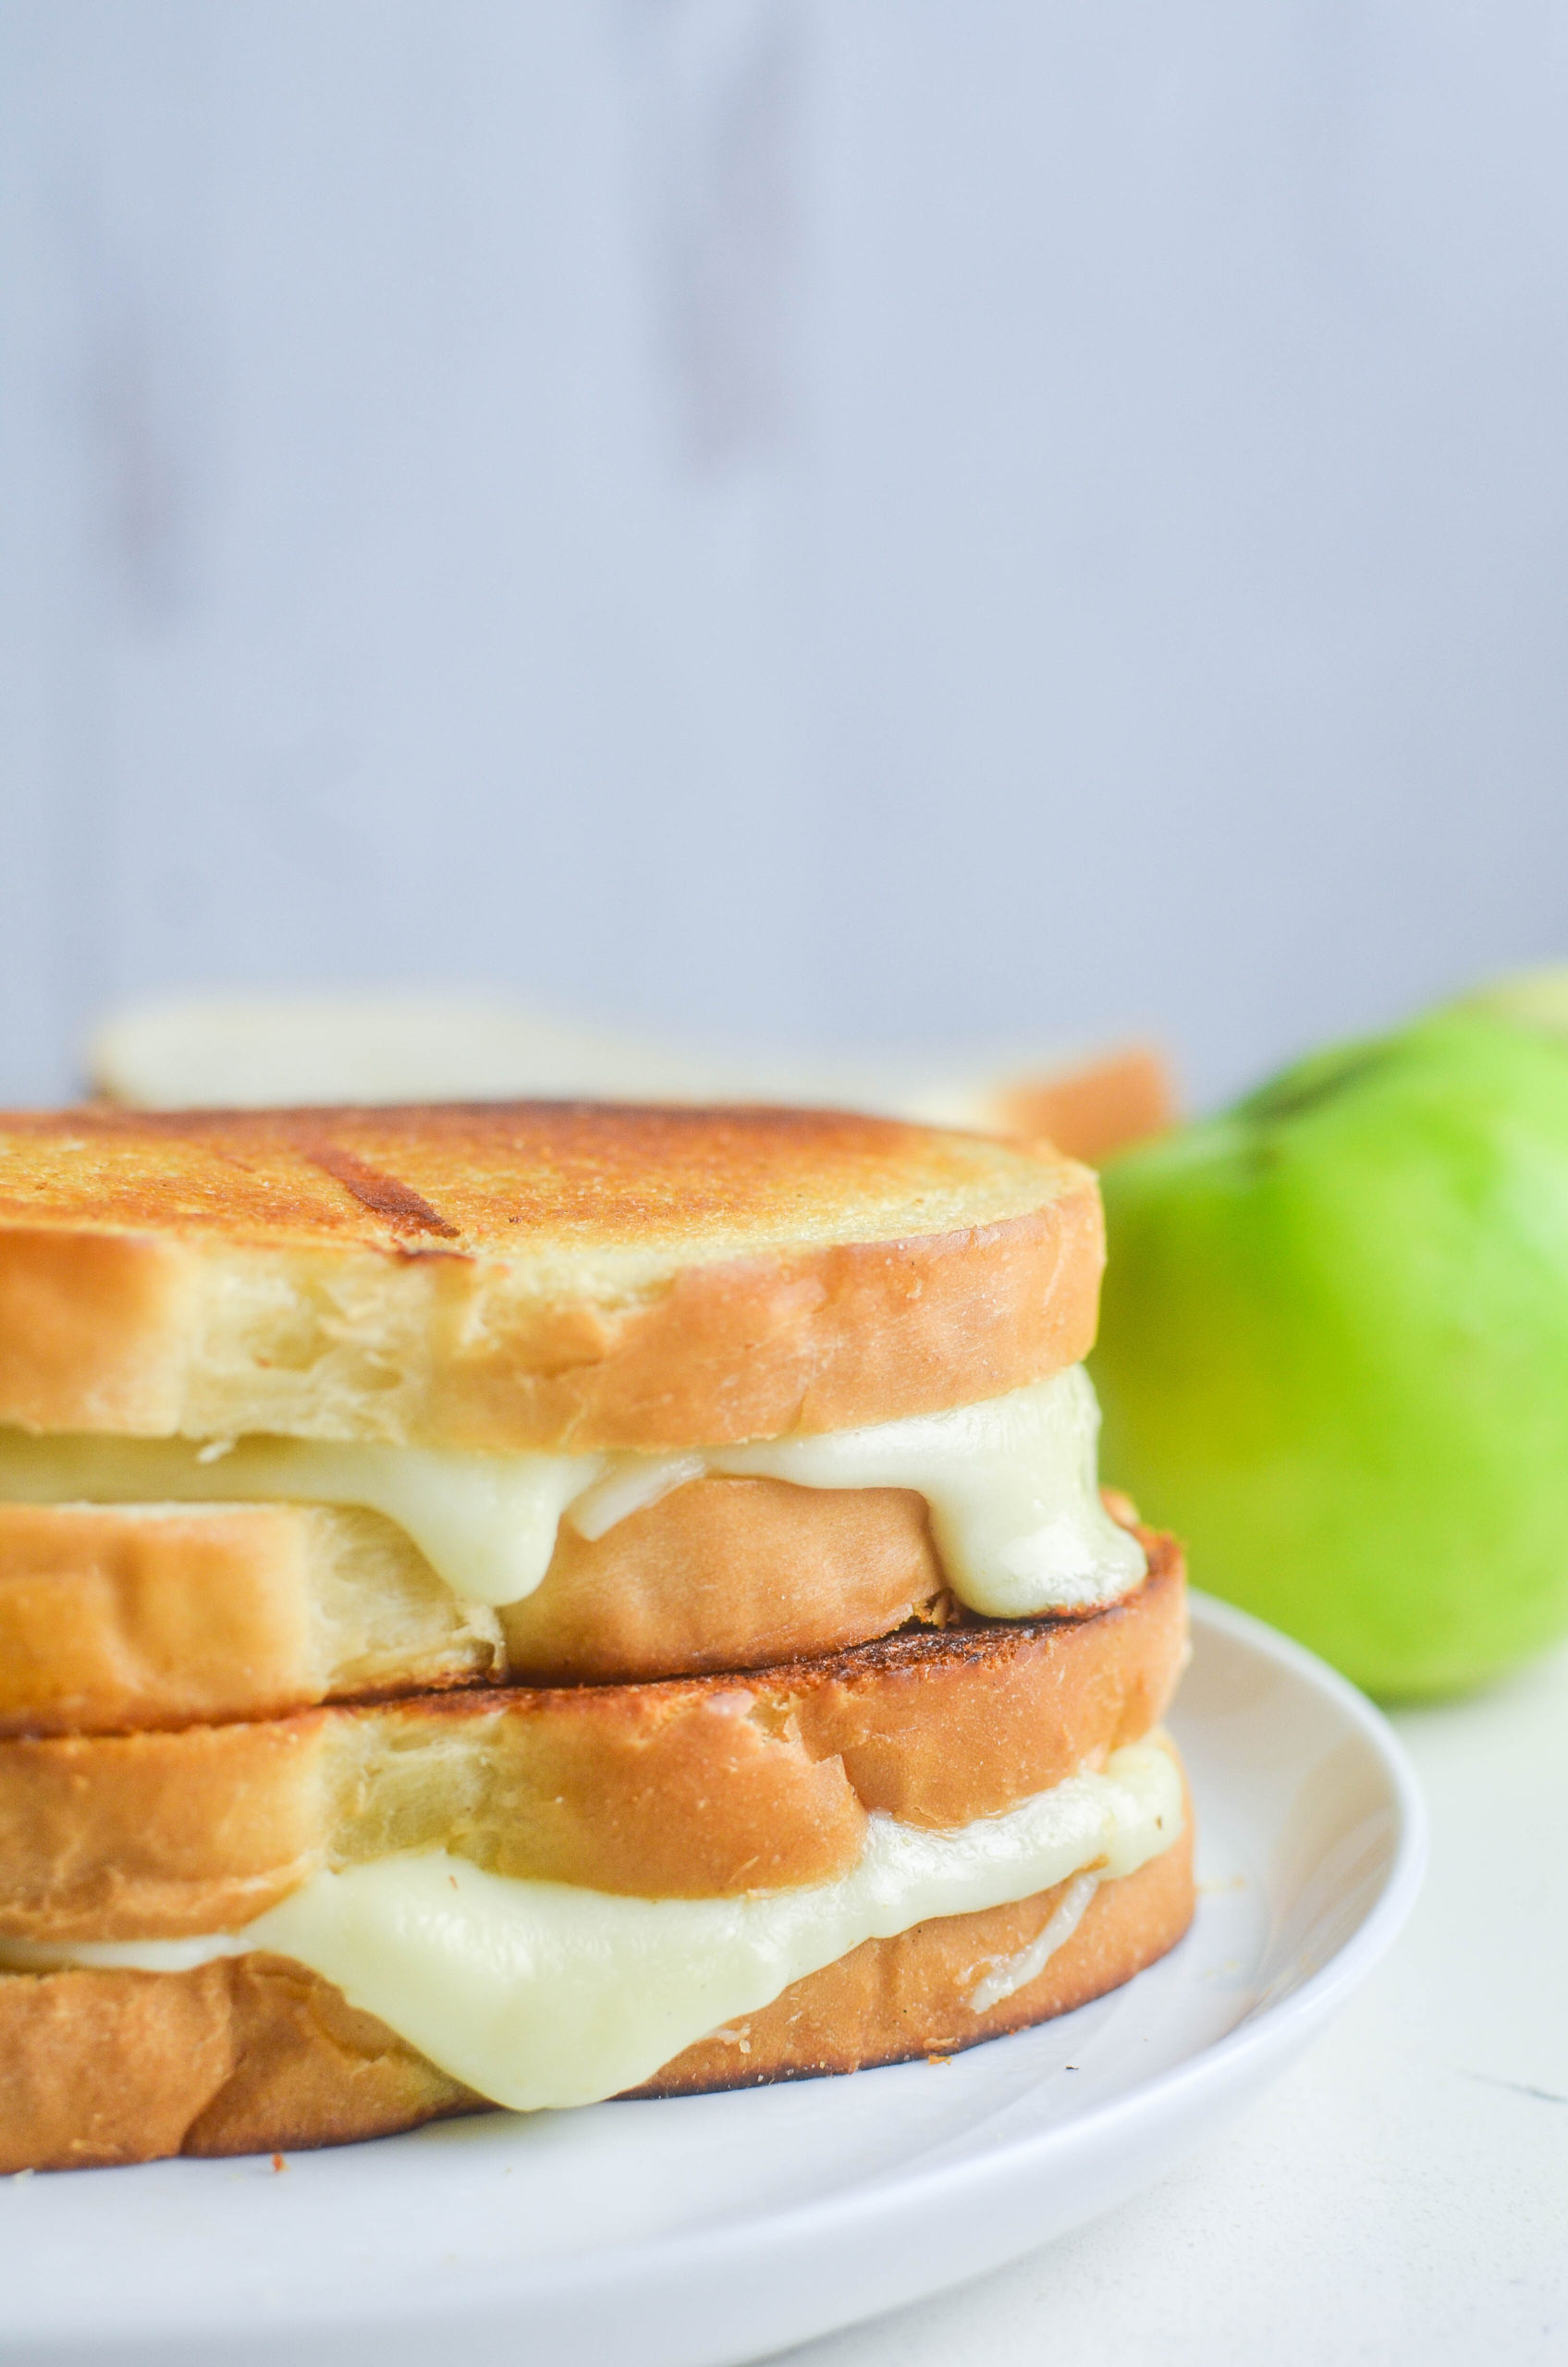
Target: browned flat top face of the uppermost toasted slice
[(643, 1185)]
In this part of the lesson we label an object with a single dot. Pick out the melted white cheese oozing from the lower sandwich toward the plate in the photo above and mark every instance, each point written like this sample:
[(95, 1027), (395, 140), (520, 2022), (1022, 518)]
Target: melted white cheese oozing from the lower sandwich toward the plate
[(544, 1994)]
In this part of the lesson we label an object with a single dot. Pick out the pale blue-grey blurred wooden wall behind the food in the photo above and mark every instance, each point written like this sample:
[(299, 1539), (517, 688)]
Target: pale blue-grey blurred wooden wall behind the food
[(837, 524)]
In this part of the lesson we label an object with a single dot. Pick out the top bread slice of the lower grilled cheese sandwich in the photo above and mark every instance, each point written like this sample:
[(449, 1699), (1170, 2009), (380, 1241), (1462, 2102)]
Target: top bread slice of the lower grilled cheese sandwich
[(683, 1788)]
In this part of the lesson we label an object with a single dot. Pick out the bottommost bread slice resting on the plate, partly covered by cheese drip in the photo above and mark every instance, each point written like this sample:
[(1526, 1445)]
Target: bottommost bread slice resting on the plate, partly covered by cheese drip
[(255, 2056)]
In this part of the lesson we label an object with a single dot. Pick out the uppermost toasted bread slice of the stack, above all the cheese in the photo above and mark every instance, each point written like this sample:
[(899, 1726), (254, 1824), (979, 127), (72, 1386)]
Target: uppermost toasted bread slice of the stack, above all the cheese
[(527, 1275)]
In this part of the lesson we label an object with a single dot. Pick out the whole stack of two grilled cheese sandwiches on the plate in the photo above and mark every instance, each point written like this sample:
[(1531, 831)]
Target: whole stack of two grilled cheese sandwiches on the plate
[(532, 1604)]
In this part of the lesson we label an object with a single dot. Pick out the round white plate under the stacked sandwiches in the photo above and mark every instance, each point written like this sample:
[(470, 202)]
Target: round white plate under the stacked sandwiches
[(712, 2231)]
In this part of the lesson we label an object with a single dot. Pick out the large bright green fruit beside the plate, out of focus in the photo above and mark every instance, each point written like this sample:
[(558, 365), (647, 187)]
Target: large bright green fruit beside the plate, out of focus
[(1335, 1350)]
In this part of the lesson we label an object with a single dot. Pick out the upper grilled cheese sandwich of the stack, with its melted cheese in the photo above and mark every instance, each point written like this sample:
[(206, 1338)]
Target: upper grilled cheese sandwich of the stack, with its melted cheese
[(356, 1282)]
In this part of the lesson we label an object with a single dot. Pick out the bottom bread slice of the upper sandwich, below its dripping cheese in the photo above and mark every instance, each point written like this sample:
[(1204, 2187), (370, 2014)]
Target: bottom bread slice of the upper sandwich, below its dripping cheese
[(117, 1618)]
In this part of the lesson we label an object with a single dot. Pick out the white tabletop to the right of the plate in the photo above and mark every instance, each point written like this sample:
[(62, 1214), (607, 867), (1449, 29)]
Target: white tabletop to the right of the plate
[(1403, 2193)]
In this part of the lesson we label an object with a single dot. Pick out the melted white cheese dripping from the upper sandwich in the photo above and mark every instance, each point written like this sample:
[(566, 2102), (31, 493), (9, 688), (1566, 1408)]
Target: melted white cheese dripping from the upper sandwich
[(1010, 1483)]
